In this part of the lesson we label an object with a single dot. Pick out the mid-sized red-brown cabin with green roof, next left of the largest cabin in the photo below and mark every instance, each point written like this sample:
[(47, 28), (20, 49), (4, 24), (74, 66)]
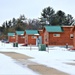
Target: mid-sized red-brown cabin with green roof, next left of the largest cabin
[(31, 37)]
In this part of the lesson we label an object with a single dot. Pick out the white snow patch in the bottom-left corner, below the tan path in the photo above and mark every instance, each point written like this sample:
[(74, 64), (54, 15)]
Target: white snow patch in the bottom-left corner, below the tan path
[(9, 67)]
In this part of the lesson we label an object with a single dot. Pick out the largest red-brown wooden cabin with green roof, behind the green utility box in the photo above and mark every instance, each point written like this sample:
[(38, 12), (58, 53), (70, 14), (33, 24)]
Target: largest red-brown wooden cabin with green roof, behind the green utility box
[(57, 35)]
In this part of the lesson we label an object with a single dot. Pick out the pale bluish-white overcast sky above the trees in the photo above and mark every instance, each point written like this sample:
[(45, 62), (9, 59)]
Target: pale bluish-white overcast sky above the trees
[(32, 8)]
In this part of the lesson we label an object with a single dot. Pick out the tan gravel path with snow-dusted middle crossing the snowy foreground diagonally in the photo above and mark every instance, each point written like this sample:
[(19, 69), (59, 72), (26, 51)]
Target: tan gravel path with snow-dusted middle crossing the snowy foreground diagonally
[(38, 68)]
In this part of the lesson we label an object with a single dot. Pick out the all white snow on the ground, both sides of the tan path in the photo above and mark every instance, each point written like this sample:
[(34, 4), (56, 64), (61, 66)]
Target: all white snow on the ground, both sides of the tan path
[(56, 57)]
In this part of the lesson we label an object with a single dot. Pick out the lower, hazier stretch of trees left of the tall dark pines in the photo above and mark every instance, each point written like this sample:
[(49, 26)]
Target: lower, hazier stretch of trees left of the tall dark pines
[(19, 24)]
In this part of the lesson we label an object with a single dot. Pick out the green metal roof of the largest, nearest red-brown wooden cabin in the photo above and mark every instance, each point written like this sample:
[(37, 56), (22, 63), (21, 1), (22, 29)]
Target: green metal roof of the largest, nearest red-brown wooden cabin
[(53, 28)]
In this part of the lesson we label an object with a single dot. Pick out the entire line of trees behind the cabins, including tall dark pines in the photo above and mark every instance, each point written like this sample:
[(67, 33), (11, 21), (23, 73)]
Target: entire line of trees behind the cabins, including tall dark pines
[(48, 17)]
